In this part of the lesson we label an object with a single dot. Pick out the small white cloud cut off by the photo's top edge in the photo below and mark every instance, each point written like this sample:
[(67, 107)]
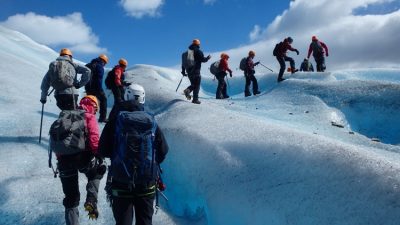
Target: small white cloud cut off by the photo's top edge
[(141, 8)]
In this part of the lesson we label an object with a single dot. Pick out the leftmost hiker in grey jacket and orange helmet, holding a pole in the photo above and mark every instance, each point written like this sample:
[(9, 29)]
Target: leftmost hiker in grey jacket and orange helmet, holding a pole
[(62, 76)]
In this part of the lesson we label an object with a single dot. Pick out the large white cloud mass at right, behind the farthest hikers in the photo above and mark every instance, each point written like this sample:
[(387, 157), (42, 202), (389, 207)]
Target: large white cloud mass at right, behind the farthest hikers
[(353, 40)]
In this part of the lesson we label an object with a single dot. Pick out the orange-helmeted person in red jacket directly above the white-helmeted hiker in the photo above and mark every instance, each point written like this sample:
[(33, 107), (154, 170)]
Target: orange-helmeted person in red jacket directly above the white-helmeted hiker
[(117, 84)]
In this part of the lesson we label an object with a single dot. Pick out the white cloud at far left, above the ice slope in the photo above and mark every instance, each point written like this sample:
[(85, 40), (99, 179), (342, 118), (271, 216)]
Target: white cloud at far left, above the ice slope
[(62, 31)]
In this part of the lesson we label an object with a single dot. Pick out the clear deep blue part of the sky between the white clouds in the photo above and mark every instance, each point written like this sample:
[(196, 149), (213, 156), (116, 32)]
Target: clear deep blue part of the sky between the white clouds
[(158, 39)]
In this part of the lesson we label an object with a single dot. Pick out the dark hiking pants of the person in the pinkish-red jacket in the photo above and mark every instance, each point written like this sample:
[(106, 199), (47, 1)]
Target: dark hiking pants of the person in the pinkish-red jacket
[(68, 166)]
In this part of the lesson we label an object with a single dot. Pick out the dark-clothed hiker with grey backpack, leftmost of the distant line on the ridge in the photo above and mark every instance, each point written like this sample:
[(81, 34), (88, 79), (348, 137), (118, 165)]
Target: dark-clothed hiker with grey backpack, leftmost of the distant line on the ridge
[(194, 72)]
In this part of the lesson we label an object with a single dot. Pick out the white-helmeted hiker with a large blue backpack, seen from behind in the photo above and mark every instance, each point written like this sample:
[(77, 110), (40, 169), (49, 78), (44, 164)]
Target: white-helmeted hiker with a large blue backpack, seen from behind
[(125, 192)]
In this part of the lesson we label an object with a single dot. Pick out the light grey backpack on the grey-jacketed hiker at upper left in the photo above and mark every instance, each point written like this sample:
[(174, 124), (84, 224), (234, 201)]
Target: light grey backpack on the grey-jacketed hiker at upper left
[(62, 74)]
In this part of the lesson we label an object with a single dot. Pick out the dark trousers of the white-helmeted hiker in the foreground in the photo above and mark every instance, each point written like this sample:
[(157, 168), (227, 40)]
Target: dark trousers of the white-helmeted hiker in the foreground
[(123, 210)]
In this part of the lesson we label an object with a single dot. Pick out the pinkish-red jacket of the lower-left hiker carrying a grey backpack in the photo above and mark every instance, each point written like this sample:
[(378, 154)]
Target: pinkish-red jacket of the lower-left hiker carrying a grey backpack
[(93, 134)]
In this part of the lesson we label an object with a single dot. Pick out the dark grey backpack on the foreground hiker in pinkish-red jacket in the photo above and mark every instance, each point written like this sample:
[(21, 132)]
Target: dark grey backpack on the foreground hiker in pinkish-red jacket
[(68, 133)]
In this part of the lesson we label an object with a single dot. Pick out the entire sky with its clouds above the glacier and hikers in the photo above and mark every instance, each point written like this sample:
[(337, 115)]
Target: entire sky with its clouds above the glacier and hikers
[(157, 31)]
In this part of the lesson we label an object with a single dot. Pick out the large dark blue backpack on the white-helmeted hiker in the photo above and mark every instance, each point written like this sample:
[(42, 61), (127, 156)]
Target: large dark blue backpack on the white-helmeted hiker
[(133, 160)]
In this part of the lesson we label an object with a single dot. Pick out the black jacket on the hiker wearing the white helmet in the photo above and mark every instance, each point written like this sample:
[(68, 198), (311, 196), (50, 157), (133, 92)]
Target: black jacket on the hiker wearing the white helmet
[(106, 142)]
